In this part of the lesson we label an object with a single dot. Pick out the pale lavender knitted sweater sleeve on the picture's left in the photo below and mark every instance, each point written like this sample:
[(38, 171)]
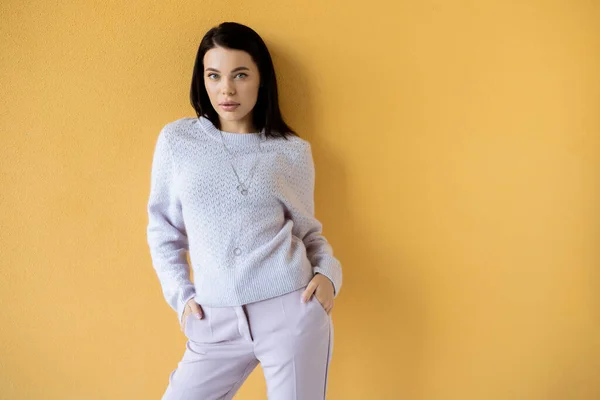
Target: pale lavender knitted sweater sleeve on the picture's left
[(166, 234)]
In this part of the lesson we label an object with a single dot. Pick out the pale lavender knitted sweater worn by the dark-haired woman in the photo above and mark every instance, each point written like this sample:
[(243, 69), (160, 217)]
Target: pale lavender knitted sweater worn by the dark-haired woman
[(242, 248)]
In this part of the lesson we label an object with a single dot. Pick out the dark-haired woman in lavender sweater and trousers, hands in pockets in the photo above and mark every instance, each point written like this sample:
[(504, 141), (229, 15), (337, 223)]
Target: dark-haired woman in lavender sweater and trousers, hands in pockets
[(235, 188)]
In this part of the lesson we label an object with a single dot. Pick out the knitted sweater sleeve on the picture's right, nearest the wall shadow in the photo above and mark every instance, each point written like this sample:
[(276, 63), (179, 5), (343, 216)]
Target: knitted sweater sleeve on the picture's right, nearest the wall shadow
[(306, 226)]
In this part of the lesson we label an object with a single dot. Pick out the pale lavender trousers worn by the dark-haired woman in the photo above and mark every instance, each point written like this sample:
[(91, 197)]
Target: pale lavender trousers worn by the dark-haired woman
[(292, 341)]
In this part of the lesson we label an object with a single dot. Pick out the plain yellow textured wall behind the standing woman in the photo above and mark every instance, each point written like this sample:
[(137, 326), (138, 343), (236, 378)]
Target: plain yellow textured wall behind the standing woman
[(457, 150)]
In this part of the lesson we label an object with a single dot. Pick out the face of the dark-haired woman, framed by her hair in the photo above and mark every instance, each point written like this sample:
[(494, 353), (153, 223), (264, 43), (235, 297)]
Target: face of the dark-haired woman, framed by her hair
[(231, 76)]
